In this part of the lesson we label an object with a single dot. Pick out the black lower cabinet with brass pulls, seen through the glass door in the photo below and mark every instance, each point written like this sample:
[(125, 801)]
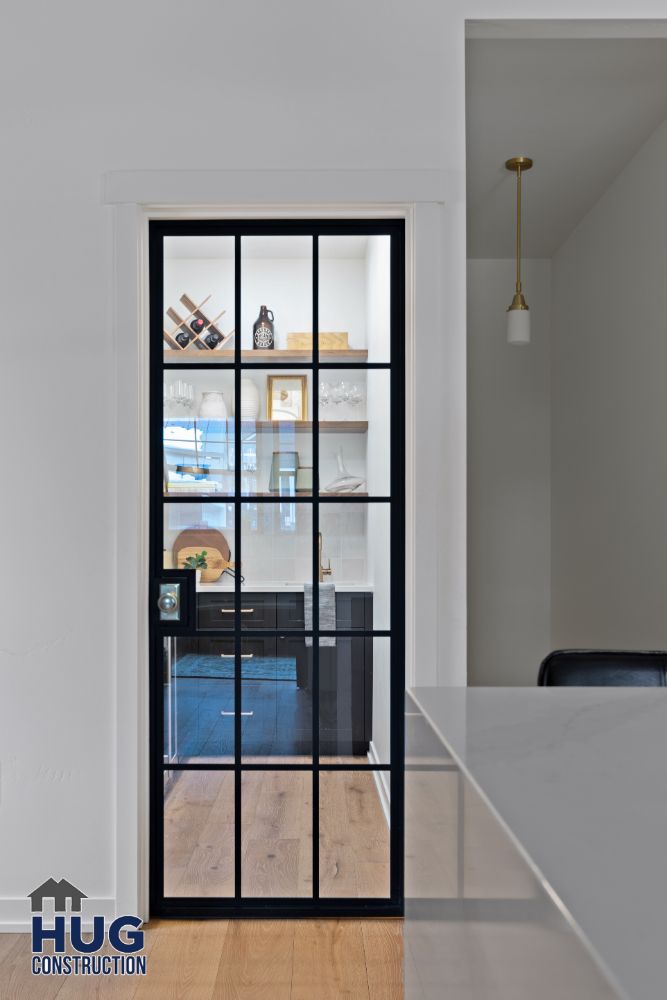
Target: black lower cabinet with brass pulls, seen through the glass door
[(277, 674)]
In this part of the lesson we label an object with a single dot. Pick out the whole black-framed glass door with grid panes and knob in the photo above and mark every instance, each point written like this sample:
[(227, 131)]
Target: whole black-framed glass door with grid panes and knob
[(277, 567)]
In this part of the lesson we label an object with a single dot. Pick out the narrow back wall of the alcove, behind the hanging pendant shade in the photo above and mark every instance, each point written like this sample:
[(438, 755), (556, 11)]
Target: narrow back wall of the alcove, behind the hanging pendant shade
[(509, 603)]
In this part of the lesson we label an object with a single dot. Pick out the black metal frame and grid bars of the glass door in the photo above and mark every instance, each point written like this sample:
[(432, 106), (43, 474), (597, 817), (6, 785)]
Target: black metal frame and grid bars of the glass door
[(239, 906)]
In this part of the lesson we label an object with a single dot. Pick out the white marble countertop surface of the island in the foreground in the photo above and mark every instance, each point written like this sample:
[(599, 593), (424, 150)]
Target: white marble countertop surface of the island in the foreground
[(579, 778)]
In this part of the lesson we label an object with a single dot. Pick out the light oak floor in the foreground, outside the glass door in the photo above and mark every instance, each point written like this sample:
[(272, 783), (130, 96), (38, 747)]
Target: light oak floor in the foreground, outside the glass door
[(233, 960)]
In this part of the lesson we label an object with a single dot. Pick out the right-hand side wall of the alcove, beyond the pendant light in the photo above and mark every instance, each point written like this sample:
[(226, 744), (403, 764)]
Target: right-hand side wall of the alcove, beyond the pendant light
[(609, 361)]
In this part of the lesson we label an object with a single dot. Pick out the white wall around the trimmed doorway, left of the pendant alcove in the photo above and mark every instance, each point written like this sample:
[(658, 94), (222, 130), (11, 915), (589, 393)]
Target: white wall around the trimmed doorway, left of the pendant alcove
[(275, 86)]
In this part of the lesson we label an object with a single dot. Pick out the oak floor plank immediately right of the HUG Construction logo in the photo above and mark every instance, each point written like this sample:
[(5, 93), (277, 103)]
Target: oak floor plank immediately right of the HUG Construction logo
[(184, 960)]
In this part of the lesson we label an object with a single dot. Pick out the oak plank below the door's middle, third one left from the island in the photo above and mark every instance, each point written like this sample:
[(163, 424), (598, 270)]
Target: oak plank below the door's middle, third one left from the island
[(256, 961)]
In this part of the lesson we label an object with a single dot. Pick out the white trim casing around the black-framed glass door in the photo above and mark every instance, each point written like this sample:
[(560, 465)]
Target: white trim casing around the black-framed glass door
[(191, 193)]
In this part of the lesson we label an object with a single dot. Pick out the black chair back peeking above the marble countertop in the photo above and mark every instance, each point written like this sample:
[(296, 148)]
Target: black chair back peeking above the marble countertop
[(603, 668)]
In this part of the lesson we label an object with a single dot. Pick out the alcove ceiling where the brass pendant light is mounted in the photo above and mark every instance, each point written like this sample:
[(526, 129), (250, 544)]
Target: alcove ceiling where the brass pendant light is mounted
[(580, 107)]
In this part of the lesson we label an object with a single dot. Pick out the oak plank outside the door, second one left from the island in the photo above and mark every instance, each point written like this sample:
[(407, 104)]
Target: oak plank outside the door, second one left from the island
[(329, 961)]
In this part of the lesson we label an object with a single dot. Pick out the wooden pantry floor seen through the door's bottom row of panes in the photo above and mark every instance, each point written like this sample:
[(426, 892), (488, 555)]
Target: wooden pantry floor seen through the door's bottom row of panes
[(276, 835)]
